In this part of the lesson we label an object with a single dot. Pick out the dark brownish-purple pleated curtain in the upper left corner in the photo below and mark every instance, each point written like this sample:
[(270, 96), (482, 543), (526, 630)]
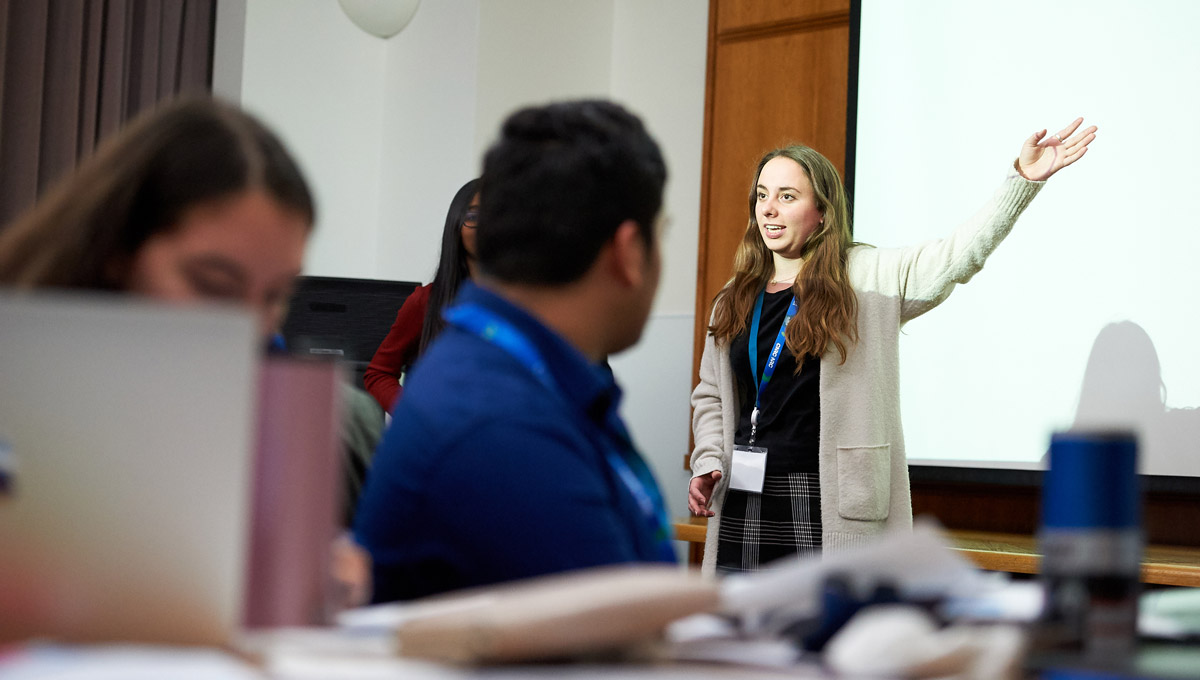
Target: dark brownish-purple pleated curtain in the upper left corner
[(74, 71)]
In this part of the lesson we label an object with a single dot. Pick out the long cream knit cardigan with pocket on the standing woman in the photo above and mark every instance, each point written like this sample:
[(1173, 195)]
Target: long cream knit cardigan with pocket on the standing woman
[(863, 468)]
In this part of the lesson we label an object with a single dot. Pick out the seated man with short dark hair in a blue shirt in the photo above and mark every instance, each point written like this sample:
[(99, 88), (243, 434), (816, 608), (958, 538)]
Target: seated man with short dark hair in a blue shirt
[(507, 458)]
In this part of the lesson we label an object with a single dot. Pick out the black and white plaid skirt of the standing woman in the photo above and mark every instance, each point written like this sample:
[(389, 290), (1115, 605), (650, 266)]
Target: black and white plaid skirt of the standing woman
[(783, 521)]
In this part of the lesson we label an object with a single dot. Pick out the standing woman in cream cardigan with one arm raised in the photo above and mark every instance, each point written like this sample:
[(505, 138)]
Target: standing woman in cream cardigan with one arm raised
[(797, 414)]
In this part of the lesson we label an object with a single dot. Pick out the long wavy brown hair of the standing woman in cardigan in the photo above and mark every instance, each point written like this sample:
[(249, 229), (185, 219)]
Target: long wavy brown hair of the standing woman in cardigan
[(827, 316)]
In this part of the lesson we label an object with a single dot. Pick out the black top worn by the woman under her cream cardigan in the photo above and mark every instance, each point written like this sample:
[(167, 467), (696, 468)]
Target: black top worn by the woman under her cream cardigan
[(790, 406)]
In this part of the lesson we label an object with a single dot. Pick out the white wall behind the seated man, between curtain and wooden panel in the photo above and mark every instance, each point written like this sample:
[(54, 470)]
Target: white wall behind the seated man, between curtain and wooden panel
[(389, 130)]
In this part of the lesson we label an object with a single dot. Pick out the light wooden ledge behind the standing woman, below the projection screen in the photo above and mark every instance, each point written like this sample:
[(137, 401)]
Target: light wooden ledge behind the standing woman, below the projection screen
[(1016, 553)]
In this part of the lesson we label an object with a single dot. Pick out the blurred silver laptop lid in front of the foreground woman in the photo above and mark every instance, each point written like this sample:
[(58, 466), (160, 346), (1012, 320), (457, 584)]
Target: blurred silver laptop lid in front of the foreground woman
[(127, 440)]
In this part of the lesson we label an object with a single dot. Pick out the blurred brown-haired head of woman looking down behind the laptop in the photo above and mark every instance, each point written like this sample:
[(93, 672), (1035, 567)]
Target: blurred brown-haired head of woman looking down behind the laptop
[(196, 201)]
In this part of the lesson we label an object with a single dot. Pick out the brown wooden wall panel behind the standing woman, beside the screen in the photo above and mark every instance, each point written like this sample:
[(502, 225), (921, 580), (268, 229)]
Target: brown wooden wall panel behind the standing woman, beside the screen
[(772, 86)]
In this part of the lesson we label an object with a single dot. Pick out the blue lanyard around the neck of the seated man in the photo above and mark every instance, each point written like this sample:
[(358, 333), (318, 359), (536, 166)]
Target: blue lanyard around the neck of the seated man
[(489, 327)]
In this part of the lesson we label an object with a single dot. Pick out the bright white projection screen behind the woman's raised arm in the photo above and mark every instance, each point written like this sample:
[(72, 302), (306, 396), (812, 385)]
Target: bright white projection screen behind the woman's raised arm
[(1088, 314)]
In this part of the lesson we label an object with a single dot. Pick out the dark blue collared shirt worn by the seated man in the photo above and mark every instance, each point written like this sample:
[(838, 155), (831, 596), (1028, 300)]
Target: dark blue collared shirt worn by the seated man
[(487, 476)]
